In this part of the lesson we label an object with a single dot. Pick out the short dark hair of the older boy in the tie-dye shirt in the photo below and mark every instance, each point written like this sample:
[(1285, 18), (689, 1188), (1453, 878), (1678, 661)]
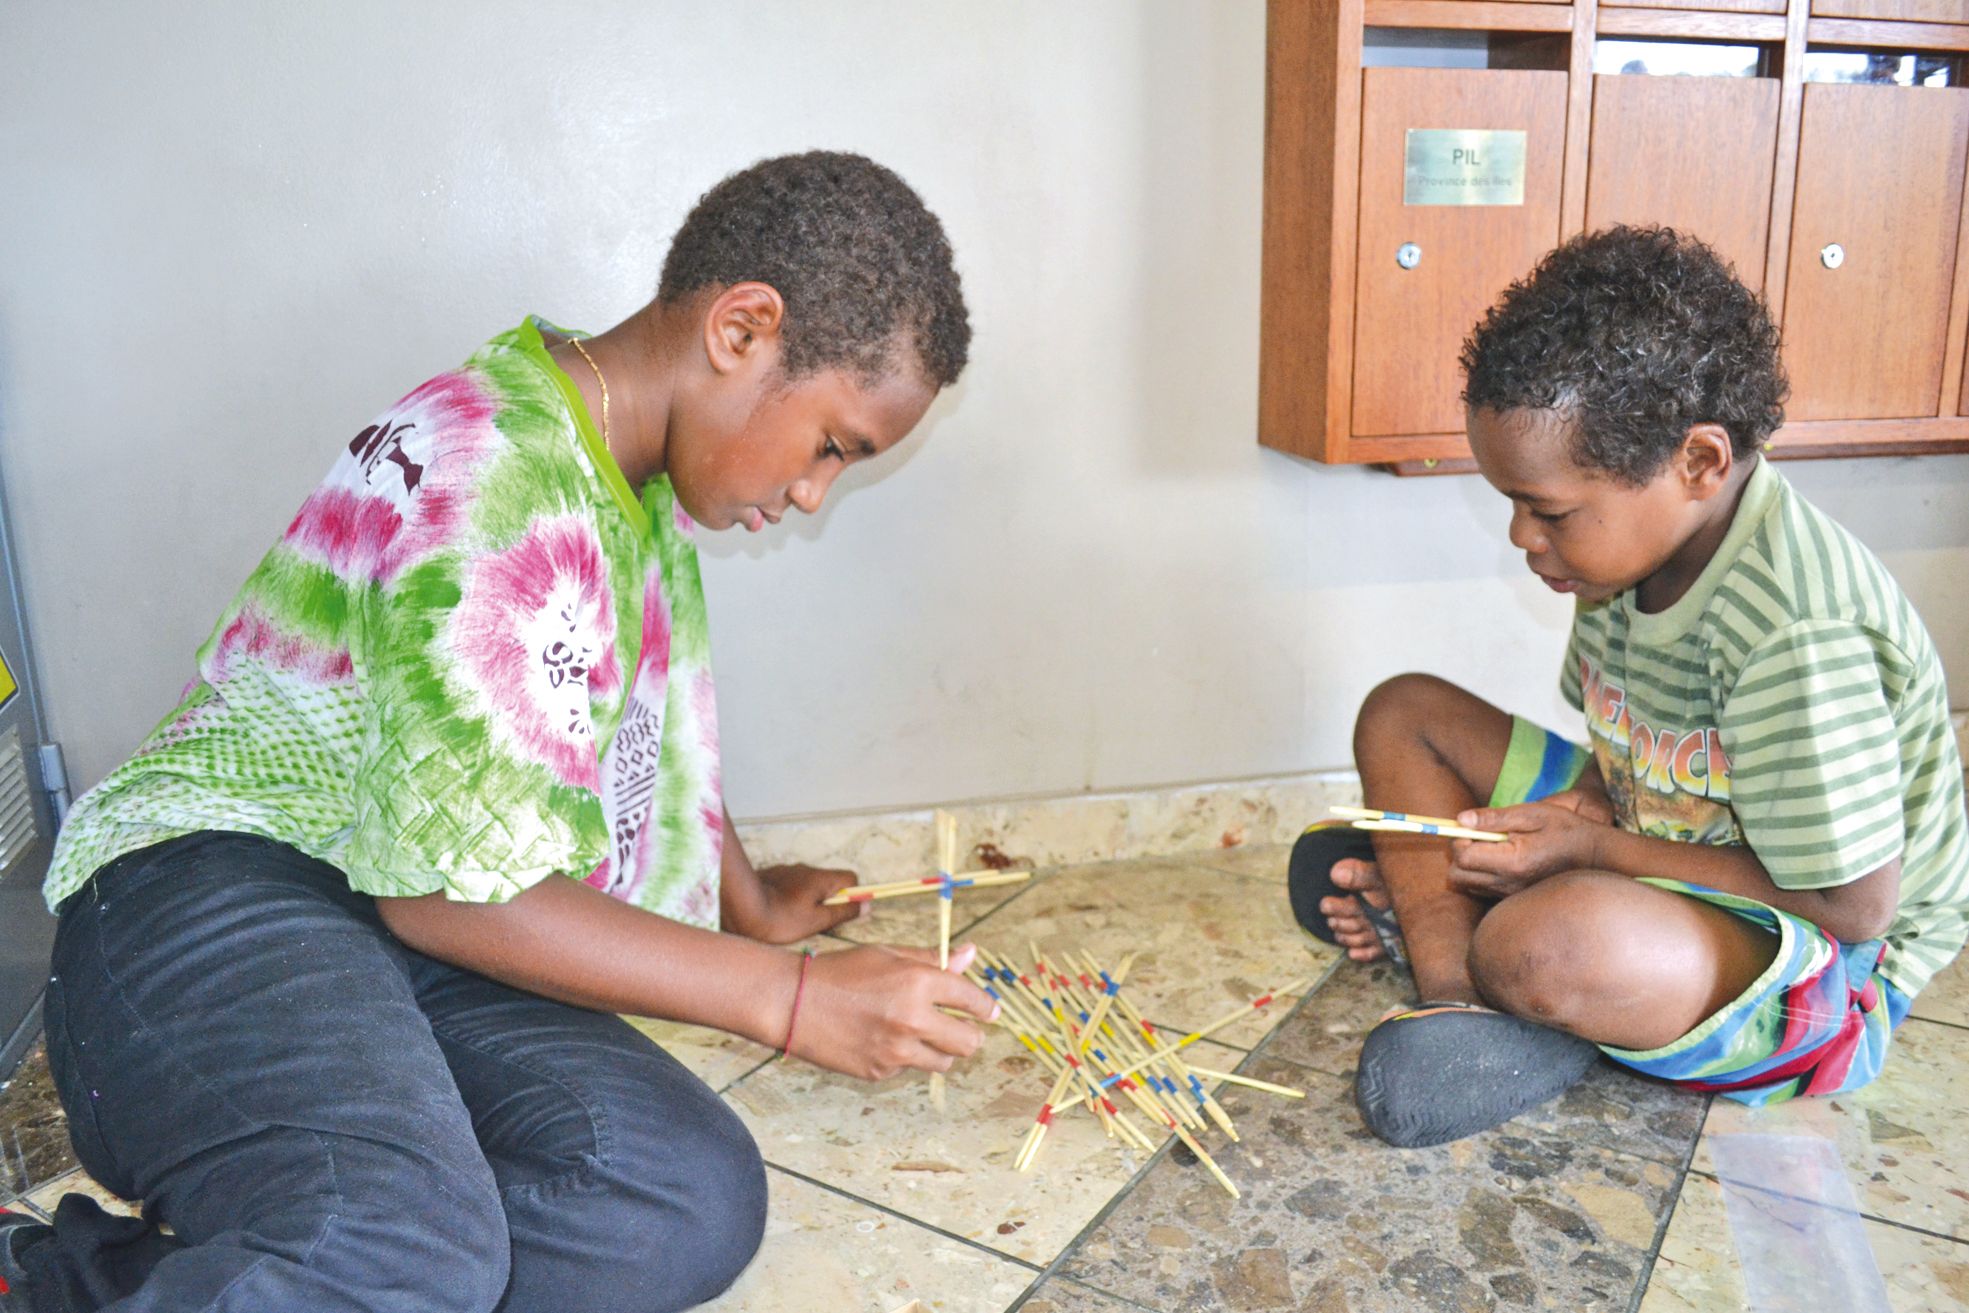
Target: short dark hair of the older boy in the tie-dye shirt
[(861, 265)]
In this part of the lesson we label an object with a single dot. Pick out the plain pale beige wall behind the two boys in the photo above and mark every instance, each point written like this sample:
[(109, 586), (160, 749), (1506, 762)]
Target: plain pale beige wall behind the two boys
[(231, 233)]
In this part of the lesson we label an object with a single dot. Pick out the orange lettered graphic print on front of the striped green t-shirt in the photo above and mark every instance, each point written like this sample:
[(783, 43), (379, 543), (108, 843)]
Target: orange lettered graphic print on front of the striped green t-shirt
[(1665, 781)]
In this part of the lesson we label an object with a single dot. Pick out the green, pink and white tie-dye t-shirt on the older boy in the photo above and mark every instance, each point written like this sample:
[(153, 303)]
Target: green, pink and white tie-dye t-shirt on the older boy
[(474, 660)]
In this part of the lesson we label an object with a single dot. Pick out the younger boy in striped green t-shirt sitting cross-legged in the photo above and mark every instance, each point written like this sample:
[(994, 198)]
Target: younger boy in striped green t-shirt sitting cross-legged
[(1761, 855)]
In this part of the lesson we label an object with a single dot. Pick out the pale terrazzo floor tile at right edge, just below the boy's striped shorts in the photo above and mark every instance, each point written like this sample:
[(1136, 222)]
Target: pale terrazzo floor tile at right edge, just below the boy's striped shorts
[(1903, 1139)]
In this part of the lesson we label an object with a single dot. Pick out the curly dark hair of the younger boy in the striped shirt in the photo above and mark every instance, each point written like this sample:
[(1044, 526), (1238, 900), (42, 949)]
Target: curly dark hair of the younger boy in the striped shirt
[(1635, 336)]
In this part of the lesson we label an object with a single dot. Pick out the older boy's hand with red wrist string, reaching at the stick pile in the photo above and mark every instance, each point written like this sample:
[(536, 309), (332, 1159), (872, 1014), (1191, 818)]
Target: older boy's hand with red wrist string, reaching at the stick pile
[(873, 1011)]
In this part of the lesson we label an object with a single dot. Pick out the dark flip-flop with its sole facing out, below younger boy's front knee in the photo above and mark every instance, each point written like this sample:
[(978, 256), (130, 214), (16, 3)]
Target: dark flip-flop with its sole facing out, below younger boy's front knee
[(1448, 1070)]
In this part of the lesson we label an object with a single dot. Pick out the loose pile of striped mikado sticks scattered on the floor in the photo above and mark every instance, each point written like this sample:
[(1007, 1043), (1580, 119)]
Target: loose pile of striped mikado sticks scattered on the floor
[(1074, 1019)]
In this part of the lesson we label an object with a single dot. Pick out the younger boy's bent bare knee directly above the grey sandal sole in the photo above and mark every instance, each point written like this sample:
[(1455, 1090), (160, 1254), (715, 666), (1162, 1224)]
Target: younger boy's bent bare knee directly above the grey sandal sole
[(1549, 954)]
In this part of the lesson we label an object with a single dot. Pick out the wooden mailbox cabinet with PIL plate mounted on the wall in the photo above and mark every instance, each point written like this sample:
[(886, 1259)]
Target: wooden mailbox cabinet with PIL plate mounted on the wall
[(1391, 221)]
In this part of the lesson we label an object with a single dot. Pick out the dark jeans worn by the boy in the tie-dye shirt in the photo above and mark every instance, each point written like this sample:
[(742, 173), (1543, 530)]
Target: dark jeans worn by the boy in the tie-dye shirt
[(332, 1121)]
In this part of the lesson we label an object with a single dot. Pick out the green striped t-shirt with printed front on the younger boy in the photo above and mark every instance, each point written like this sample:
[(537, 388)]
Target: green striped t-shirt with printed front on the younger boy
[(1791, 702)]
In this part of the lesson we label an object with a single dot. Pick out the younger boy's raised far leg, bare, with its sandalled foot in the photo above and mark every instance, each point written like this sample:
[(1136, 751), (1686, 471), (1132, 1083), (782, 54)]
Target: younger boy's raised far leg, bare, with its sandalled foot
[(1429, 747)]
